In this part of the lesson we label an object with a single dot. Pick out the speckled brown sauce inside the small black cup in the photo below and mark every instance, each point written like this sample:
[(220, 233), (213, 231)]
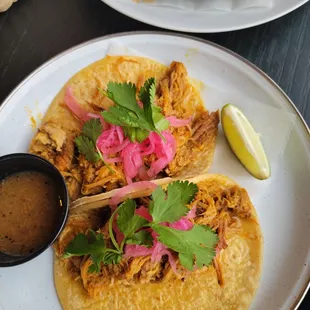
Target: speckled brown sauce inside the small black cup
[(29, 211)]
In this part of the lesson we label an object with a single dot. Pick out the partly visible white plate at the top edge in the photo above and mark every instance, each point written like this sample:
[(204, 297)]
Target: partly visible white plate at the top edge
[(204, 21)]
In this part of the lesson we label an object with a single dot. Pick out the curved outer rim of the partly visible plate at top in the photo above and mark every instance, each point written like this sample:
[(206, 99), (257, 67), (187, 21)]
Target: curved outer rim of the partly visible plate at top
[(298, 4)]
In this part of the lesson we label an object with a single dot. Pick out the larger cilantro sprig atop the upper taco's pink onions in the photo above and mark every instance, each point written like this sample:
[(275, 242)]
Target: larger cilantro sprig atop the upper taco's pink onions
[(137, 122)]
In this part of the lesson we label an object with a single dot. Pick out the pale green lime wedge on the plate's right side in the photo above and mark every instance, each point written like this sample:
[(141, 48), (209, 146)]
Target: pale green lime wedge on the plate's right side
[(244, 142)]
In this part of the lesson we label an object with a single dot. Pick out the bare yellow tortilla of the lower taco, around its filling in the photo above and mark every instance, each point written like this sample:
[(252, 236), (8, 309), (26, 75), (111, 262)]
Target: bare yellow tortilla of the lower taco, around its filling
[(240, 264)]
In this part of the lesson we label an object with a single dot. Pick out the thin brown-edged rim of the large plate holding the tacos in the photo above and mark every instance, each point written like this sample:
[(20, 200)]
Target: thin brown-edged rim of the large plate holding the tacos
[(306, 129)]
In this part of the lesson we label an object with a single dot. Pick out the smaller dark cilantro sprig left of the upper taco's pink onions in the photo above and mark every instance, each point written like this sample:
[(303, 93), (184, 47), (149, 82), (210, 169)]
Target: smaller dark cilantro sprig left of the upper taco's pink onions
[(86, 142)]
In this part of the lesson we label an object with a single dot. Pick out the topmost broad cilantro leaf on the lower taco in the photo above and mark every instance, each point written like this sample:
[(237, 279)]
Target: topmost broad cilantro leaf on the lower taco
[(171, 206)]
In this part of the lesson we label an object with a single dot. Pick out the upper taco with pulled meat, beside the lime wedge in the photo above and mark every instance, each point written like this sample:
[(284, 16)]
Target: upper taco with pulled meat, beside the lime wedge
[(125, 119)]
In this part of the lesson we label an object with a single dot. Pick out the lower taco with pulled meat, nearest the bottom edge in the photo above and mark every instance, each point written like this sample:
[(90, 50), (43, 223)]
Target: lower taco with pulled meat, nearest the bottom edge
[(192, 244)]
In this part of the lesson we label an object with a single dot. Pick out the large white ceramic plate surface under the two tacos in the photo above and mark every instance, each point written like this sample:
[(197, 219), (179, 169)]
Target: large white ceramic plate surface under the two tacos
[(282, 201)]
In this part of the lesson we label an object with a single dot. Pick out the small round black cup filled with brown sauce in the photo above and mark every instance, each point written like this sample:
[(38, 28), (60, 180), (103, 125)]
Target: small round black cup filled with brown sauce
[(33, 207)]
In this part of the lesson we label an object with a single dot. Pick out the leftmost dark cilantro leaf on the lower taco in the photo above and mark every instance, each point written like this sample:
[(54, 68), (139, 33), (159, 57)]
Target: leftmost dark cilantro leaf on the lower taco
[(93, 245)]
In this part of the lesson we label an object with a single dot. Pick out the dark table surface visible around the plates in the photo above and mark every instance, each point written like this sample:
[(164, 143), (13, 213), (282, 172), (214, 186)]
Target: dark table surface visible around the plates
[(33, 31)]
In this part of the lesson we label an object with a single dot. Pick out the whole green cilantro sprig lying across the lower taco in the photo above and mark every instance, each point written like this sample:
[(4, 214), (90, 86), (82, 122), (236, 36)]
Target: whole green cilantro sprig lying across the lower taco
[(194, 247)]
